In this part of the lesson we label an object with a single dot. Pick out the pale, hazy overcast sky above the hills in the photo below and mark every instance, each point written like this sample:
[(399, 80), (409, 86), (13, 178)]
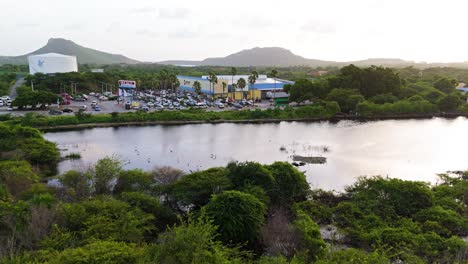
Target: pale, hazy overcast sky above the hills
[(155, 30)]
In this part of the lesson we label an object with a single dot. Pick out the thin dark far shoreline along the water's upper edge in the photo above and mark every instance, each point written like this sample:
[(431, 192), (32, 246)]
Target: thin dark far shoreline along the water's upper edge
[(336, 118)]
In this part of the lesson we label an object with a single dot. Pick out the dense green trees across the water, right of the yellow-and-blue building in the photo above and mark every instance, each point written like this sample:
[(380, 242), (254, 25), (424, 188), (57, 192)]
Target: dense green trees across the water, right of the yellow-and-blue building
[(377, 91)]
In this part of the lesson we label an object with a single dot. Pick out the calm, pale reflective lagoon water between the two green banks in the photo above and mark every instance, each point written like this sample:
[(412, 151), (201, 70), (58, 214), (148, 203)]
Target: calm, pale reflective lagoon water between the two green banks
[(405, 149)]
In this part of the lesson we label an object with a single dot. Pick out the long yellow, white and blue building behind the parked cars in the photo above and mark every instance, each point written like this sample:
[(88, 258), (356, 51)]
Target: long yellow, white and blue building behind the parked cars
[(259, 90)]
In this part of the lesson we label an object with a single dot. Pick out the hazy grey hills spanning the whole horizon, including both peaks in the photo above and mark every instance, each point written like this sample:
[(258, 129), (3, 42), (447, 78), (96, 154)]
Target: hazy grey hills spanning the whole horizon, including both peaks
[(268, 56)]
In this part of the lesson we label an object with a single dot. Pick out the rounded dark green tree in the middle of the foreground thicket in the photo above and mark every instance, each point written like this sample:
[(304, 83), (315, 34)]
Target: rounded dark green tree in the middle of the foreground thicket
[(238, 216)]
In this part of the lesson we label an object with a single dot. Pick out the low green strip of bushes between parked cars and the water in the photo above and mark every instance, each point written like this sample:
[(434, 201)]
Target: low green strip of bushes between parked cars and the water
[(317, 111)]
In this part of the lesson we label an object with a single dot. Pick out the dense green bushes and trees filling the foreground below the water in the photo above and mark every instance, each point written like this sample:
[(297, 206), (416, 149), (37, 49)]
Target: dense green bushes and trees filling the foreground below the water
[(242, 213)]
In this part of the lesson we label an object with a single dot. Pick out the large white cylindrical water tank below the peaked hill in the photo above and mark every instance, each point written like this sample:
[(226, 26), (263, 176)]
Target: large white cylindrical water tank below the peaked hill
[(52, 63)]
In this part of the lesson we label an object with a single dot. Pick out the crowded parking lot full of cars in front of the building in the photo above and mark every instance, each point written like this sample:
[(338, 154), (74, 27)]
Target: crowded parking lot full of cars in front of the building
[(149, 102)]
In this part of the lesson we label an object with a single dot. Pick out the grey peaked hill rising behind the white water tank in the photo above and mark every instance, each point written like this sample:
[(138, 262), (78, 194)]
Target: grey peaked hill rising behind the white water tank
[(67, 47)]
